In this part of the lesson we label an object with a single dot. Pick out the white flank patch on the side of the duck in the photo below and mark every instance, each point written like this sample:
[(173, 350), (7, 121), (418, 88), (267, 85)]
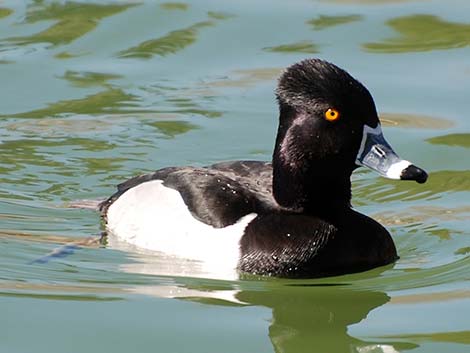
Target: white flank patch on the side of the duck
[(154, 217)]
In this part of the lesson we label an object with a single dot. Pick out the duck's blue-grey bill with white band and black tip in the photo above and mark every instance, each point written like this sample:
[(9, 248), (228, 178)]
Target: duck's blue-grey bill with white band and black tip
[(375, 153)]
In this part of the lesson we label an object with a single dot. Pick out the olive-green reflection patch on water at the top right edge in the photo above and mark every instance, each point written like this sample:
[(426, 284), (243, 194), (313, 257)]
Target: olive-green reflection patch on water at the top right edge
[(422, 33)]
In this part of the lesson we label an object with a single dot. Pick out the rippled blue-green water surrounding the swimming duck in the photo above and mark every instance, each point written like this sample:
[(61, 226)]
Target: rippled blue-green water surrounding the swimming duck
[(93, 93)]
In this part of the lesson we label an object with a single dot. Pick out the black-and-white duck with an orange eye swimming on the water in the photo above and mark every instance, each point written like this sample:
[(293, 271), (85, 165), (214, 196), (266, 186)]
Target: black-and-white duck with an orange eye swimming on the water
[(289, 217)]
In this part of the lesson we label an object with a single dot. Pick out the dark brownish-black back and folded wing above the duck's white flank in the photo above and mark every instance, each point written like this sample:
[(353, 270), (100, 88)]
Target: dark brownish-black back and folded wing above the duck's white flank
[(218, 195)]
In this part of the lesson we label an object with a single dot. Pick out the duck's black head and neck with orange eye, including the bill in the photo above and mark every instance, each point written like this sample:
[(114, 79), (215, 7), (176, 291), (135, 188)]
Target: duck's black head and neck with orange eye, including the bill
[(328, 126)]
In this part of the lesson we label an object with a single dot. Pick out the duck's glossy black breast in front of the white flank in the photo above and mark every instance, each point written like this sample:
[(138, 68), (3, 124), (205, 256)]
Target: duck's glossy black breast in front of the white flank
[(299, 245)]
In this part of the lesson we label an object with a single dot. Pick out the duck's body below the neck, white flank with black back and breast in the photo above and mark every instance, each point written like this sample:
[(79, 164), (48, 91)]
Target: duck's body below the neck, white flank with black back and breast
[(225, 217)]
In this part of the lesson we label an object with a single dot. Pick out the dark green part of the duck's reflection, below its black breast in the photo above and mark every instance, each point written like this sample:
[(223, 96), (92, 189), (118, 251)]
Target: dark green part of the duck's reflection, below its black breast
[(317, 317)]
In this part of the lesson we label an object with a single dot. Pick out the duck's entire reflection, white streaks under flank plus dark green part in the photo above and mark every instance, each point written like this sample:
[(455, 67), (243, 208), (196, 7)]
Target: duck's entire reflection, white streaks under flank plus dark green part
[(306, 315)]
